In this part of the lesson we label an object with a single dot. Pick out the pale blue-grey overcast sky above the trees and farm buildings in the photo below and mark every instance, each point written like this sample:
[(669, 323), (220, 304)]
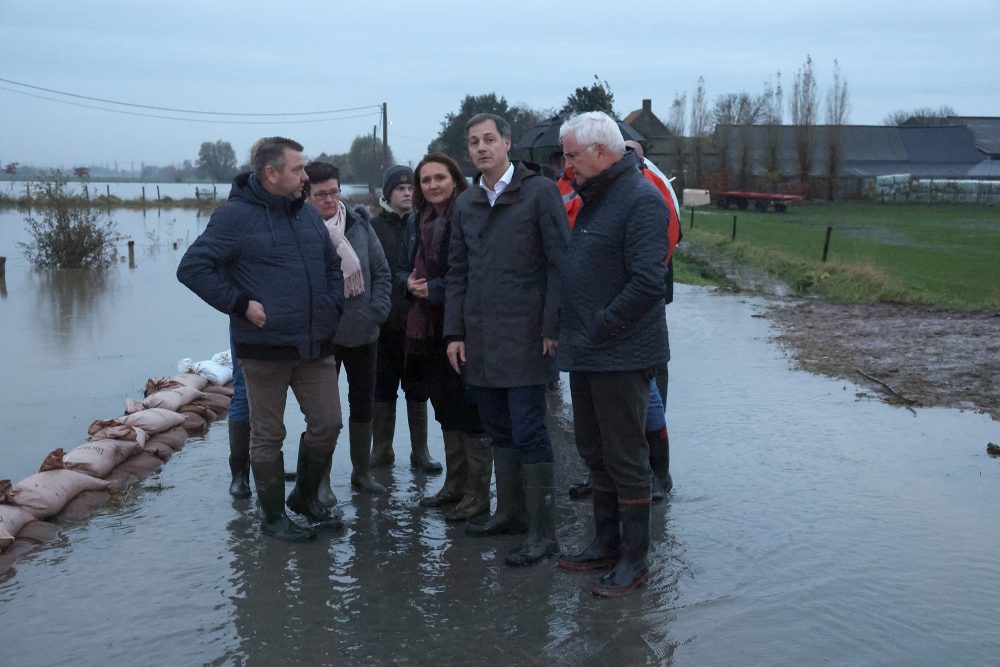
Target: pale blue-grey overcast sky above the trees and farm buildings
[(423, 58)]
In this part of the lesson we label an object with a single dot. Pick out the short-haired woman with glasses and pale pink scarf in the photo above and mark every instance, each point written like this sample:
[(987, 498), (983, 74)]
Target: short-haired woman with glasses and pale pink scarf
[(367, 285)]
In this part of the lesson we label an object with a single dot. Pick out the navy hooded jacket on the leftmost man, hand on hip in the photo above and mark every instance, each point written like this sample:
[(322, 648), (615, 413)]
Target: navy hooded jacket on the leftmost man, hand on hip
[(262, 247)]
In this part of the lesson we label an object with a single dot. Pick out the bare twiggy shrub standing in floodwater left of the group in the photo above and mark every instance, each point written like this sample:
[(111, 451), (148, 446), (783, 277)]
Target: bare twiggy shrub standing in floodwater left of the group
[(67, 232)]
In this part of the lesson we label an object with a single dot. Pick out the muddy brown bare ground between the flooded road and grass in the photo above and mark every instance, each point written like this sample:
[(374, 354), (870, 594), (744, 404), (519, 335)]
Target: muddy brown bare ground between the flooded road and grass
[(907, 355)]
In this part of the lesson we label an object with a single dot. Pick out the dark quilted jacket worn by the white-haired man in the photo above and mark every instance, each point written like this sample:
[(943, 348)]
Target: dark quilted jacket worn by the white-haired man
[(612, 299)]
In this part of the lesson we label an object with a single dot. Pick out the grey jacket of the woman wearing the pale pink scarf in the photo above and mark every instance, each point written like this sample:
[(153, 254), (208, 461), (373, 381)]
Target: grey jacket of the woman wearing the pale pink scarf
[(363, 313)]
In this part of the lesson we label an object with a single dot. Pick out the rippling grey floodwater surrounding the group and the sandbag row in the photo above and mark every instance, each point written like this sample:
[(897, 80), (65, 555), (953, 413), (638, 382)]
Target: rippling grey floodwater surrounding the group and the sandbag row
[(808, 524)]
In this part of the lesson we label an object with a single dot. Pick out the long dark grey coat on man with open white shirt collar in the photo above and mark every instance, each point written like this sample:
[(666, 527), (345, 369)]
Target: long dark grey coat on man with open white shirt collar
[(504, 279)]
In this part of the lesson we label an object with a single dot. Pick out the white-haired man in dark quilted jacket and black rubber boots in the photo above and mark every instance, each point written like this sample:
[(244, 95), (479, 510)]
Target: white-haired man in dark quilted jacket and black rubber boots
[(612, 339)]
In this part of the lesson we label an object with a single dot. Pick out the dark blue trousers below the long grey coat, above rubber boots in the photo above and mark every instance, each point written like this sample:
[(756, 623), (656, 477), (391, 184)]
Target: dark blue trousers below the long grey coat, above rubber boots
[(514, 417)]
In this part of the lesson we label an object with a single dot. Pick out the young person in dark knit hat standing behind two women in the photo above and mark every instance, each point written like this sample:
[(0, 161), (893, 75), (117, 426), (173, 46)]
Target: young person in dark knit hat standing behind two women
[(395, 205)]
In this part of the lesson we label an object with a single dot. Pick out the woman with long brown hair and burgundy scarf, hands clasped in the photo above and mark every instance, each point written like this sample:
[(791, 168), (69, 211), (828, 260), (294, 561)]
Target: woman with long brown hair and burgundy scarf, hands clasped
[(423, 263)]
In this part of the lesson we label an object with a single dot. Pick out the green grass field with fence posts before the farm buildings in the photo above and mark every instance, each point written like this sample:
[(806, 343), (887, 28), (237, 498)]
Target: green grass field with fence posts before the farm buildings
[(938, 255)]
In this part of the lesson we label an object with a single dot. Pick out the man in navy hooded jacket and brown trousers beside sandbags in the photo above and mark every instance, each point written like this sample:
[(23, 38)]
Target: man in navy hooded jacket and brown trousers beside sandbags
[(267, 261)]
